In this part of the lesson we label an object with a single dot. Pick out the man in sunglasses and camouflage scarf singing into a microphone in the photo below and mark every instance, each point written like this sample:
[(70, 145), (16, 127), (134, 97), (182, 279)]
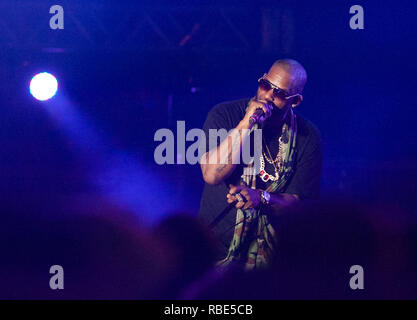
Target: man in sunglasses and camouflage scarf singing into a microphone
[(236, 205)]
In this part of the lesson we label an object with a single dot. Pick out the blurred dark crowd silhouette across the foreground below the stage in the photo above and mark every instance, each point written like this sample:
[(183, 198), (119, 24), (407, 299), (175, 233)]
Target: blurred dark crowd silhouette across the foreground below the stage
[(107, 254)]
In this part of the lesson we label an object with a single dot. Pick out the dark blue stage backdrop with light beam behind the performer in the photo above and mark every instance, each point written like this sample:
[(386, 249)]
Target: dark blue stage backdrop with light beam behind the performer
[(128, 68)]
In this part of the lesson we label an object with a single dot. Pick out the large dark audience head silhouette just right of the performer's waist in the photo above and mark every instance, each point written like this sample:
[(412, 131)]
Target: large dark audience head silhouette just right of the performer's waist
[(318, 246)]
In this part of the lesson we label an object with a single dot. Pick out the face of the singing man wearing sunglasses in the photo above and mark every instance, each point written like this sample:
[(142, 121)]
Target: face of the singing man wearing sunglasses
[(281, 79)]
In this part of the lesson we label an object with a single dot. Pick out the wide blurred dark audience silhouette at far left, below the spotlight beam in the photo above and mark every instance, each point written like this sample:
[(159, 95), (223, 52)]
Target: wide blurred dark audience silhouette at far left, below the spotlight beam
[(105, 255)]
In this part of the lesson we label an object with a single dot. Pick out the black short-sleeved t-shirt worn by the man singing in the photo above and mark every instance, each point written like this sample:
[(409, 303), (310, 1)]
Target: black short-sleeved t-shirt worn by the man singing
[(305, 181)]
